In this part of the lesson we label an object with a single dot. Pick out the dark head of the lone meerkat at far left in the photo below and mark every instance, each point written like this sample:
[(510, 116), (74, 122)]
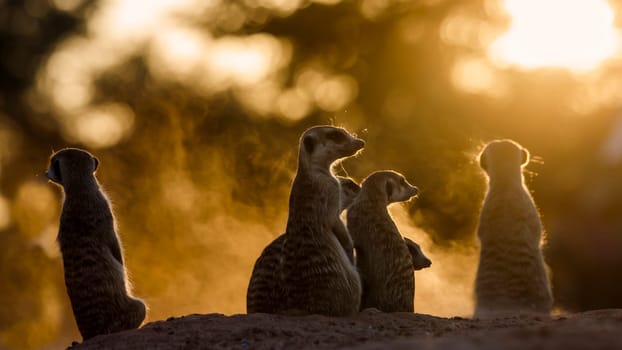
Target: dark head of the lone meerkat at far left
[(70, 165)]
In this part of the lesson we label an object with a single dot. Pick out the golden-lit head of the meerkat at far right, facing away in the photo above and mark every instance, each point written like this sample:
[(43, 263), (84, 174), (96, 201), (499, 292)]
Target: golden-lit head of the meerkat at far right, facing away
[(503, 156)]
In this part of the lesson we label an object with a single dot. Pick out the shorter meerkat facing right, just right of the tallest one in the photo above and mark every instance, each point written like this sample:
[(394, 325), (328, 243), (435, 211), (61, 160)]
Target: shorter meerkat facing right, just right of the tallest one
[(383, 257)]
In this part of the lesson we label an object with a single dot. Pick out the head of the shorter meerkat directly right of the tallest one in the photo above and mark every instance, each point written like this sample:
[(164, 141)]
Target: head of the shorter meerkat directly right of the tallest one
[(390, 185)]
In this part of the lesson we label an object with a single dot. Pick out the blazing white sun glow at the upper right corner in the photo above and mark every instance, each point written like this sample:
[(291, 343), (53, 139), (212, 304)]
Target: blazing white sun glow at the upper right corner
[(573, 34)]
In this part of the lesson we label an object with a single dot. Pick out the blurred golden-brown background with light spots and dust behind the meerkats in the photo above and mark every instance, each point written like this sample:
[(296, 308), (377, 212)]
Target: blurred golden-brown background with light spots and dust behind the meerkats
[(194, 109)]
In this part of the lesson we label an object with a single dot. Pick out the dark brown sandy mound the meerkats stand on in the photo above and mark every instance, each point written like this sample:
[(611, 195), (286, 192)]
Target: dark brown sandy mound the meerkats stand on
[(589, 330)]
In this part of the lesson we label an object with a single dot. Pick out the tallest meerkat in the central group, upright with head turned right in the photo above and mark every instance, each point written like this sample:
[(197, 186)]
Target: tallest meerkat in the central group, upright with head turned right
[(318, 275)]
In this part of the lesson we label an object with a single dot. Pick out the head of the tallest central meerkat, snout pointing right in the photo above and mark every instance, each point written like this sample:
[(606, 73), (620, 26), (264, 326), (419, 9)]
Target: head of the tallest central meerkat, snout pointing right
[(322, 146)]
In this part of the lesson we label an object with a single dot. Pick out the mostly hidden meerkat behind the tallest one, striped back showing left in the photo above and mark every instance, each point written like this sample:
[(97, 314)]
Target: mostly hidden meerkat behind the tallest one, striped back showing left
[(265, 289)]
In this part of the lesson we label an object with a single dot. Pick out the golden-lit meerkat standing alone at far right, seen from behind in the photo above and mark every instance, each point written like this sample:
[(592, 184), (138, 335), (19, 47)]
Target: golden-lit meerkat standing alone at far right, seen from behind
[(511, 275)]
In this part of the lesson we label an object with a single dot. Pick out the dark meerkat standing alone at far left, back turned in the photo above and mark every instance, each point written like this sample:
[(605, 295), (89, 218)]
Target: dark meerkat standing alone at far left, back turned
[(95, 277)]
